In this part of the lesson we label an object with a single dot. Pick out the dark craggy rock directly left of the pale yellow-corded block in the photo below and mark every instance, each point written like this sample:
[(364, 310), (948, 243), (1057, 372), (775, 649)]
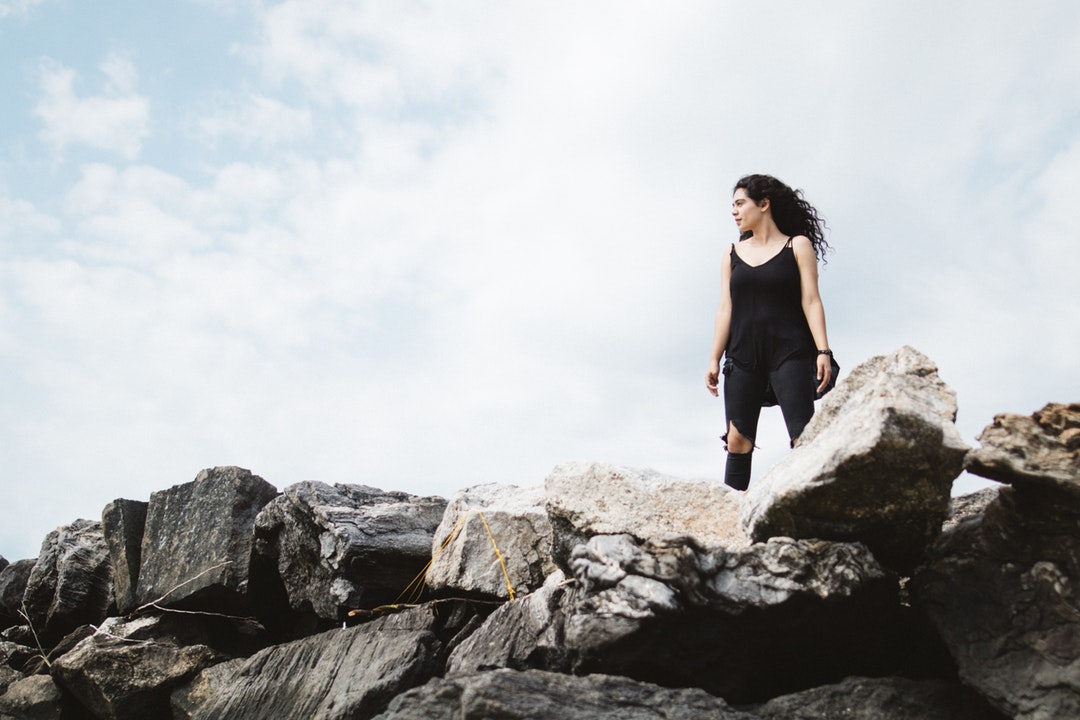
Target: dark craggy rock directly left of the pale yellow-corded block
[(336, 549)]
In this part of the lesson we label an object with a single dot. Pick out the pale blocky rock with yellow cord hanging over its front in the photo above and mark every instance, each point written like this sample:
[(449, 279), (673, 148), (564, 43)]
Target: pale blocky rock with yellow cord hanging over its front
[(478, 522)]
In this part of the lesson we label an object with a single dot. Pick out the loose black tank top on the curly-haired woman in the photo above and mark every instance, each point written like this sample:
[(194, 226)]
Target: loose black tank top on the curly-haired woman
[(768, 325)]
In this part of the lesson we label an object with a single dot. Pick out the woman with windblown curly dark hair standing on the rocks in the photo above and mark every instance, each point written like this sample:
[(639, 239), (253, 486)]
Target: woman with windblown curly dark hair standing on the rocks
[(771, 323)]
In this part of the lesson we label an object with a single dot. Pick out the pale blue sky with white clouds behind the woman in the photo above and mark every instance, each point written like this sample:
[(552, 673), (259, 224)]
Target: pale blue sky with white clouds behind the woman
[(425, 246)]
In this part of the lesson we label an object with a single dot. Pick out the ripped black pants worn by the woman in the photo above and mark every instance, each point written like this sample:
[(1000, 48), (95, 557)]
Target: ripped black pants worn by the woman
[(794, 384)]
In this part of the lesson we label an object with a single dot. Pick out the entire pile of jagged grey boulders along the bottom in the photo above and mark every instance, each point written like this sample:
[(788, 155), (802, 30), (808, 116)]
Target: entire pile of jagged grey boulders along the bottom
[(636, 595)]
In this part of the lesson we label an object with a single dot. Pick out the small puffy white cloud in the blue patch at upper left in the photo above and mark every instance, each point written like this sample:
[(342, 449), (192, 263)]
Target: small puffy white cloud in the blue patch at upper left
[(116, 120)]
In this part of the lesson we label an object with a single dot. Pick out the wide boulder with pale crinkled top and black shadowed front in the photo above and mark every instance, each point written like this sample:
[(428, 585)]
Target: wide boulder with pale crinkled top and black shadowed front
[(745, 624)]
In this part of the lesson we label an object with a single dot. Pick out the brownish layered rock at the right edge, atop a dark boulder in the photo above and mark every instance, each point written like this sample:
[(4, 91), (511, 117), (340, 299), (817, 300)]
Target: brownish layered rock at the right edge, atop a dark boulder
[(1042, 452)]
